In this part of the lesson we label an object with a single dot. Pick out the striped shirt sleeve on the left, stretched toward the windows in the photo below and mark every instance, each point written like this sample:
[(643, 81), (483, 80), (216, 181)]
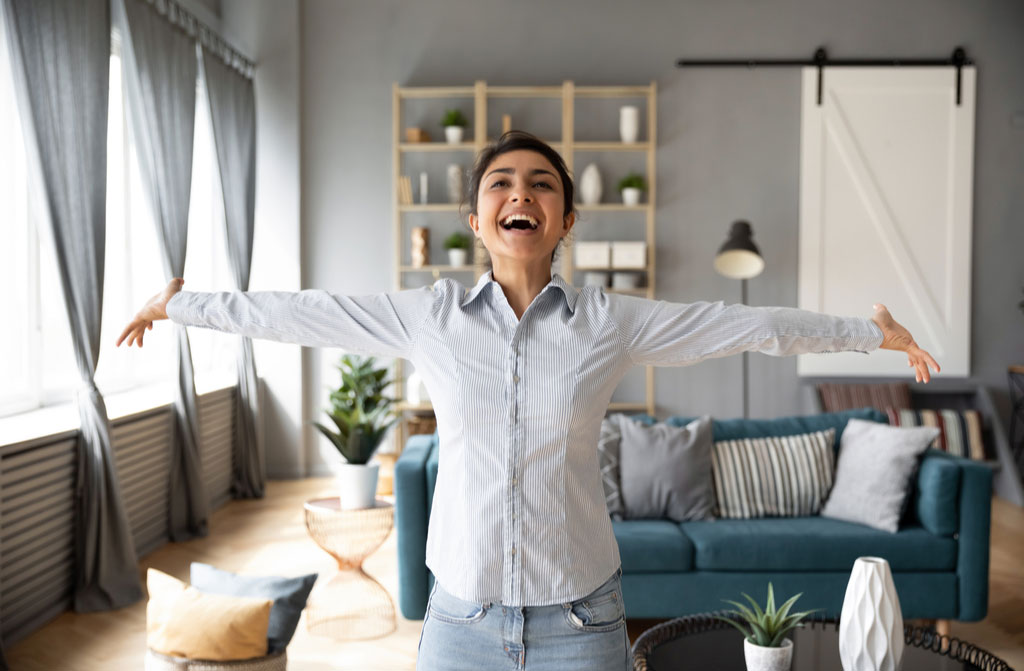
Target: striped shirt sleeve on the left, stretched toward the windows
[(386, 324)]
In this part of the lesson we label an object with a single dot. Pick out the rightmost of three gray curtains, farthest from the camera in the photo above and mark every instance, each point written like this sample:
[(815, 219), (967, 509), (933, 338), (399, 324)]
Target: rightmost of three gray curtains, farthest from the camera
[(233, 109)]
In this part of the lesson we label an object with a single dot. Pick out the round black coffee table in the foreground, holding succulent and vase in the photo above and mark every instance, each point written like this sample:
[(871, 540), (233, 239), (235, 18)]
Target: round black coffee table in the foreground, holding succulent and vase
[(701, 642)]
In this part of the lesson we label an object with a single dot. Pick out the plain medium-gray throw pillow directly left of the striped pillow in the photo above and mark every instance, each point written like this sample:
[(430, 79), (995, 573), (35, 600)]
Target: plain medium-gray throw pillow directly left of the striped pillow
[(666, 471)]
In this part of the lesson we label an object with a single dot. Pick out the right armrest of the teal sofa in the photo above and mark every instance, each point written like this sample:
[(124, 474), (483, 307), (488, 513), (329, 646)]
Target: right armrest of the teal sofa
[(974, 511)]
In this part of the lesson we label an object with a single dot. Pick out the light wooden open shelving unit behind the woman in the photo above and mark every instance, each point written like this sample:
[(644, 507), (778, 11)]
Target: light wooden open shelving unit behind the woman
[(568, 146)]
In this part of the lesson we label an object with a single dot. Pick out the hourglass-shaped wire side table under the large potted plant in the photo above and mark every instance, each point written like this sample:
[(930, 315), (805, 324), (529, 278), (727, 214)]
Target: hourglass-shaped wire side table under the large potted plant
[(353, 606)]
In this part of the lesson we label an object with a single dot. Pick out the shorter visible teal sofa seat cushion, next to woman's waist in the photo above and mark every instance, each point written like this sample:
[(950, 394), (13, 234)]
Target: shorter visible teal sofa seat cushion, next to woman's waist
[(653, 547)]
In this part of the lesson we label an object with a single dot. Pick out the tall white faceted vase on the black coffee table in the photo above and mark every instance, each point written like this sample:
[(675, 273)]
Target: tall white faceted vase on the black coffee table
[(871, 626)]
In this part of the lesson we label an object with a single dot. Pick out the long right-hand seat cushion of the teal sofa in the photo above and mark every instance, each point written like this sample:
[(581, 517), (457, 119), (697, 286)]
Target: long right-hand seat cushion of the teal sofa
[(813, 544)]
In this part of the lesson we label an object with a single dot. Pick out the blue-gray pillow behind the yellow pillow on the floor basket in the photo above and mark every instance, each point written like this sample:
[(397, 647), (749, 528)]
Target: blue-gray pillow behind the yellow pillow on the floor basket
[(289, 597)]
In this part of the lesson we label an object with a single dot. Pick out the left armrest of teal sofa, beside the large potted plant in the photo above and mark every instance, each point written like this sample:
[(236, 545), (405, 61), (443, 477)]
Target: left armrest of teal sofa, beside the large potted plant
[(411, 517)]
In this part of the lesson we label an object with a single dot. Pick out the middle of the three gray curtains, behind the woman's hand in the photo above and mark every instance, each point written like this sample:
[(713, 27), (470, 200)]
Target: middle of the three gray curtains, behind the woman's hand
[(160, 70)]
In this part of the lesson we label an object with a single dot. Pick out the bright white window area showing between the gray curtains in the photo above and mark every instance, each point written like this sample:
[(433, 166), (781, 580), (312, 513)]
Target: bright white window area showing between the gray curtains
[(38, 365)]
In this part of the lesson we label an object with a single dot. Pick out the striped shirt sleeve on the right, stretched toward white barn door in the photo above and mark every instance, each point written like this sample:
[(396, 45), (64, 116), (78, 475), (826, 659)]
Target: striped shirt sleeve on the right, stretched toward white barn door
[(661, 333)]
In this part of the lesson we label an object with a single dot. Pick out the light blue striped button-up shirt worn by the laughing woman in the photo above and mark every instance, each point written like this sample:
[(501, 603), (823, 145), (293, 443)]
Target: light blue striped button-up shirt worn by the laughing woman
[(520, 516)]
